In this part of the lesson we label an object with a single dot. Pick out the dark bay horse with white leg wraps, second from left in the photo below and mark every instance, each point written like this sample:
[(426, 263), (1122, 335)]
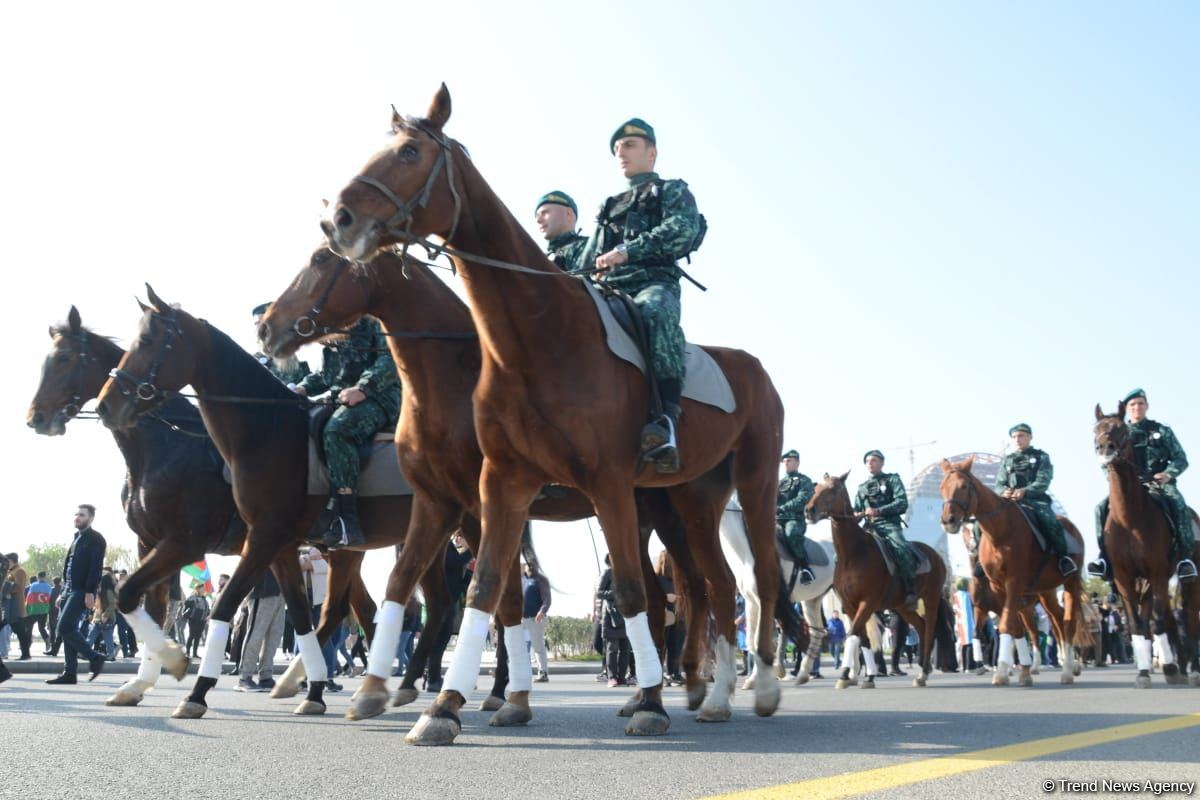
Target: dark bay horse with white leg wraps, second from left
[(261, 431)]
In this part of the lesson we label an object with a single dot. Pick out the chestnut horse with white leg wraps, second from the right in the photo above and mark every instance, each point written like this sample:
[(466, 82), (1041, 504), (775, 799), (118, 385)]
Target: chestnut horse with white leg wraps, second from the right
[(1016, 569)]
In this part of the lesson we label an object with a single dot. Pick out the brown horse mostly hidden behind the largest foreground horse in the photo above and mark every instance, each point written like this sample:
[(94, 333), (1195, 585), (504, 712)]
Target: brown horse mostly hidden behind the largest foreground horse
[(437, 354)]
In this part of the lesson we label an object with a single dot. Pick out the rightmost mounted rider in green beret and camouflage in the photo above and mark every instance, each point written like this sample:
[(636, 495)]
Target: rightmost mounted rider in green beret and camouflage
[(1160, 461)]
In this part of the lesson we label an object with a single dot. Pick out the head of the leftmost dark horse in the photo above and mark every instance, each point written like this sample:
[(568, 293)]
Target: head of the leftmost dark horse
[(73, 375)]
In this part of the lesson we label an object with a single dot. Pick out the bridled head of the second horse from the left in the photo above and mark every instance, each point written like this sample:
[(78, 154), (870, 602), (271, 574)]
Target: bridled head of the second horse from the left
[(160, 362)]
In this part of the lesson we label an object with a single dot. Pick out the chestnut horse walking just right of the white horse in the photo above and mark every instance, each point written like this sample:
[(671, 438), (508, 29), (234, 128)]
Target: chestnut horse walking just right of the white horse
[(861, 579)]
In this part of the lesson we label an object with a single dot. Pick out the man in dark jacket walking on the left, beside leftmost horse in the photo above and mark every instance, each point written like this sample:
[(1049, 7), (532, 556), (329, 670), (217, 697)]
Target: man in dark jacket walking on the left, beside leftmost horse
[(81, 578)]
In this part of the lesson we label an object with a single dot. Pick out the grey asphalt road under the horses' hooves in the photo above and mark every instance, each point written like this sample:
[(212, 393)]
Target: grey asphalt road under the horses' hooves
[(251, 747)]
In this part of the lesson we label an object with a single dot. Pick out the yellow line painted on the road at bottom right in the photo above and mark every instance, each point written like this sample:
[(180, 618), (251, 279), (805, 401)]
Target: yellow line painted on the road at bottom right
[(929, 769)]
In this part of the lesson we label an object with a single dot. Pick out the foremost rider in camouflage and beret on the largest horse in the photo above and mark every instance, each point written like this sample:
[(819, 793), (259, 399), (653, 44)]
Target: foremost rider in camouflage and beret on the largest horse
[(640, 236)]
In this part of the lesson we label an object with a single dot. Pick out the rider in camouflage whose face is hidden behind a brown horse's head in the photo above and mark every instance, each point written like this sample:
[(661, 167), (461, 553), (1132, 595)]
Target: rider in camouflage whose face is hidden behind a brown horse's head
[(361, 374)]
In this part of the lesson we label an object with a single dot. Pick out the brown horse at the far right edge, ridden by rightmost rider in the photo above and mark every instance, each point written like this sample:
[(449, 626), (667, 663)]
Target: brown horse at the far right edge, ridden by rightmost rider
[(1138, 538)]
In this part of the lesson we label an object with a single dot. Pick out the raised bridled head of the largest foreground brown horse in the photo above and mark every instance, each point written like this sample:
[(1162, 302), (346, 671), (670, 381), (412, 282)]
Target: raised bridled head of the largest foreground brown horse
[(405, 193)]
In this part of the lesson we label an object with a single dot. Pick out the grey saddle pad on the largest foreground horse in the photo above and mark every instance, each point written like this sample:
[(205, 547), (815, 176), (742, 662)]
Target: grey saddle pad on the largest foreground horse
[(705, 382)]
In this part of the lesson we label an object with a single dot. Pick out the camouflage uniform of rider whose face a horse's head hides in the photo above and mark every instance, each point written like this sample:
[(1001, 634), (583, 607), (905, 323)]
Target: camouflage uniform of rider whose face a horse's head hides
[(362, 362)]
